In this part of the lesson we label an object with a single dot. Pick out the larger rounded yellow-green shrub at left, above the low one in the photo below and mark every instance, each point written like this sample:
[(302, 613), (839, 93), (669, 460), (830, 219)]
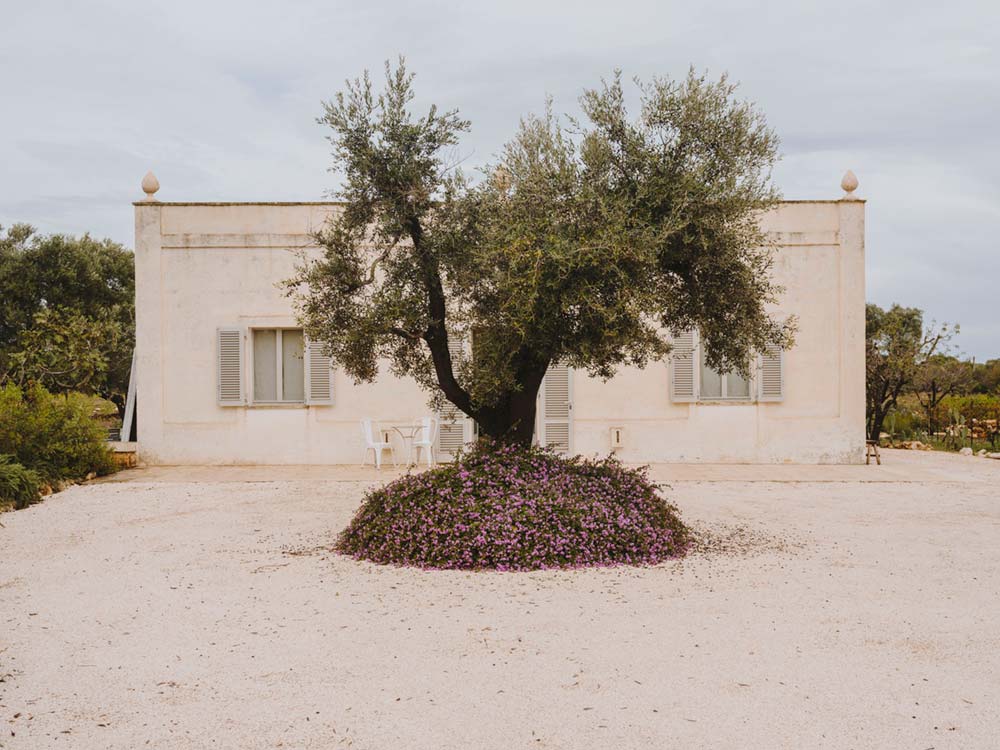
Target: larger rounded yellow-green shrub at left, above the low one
[(55, 435)]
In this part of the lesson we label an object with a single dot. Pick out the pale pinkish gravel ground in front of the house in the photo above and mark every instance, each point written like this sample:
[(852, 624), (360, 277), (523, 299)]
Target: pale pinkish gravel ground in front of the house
[(207, 614)]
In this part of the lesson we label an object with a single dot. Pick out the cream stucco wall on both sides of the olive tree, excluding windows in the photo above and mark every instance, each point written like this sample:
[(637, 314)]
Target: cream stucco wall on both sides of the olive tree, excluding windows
[(202, 266)]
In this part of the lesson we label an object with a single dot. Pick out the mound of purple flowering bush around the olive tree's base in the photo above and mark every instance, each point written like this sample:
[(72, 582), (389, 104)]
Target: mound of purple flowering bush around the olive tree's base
[(506, 507)]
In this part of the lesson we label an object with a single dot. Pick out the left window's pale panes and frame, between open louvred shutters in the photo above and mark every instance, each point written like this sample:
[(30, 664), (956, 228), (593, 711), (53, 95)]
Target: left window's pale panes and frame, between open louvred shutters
[(279, 365)]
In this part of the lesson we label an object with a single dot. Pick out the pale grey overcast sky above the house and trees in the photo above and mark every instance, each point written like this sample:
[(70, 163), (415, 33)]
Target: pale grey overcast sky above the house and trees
[(219, 99)]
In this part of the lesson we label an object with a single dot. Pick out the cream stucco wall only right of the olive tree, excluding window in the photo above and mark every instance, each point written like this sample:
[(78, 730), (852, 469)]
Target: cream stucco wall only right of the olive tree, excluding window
[(820, 262)]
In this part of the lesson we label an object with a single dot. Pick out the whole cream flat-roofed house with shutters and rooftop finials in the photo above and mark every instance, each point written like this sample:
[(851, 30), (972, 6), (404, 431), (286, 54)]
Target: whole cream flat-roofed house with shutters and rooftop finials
[(223, 375)]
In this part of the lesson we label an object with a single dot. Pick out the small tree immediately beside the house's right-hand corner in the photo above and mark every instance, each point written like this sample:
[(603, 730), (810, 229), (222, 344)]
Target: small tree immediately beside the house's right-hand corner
[(897, 347)]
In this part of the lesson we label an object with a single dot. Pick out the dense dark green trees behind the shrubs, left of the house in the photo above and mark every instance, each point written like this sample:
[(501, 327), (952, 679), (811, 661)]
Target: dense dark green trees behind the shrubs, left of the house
[(67, 312)]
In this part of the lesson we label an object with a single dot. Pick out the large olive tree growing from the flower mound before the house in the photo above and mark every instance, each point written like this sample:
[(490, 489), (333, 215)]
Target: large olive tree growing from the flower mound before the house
[(589, 242)]
